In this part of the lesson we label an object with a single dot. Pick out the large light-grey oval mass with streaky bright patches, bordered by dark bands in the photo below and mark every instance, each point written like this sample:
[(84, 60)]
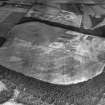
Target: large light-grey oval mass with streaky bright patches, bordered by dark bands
[(52, 54)]
